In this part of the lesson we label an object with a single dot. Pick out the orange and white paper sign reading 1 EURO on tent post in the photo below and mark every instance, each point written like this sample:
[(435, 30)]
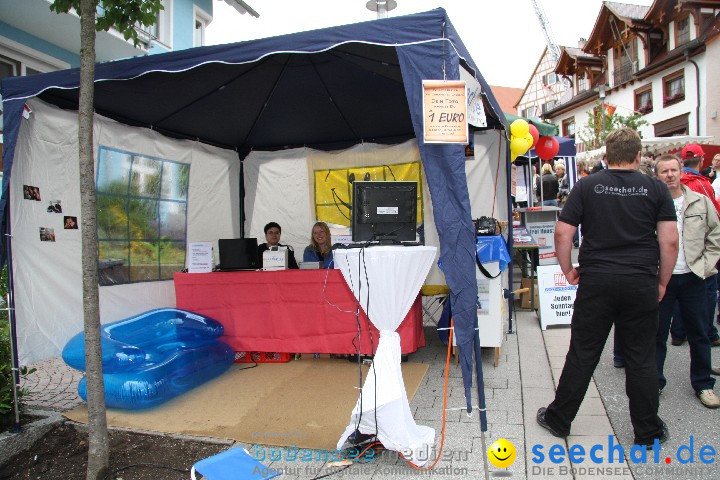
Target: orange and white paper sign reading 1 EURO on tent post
[(445, 111)]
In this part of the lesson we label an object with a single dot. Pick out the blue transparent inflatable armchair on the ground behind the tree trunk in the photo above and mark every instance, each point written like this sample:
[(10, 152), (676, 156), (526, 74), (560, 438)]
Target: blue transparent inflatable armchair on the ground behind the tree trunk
[(153, 357)]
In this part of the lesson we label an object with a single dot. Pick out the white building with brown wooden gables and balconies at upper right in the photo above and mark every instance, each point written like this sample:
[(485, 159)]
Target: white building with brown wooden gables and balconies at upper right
[(659, 61)]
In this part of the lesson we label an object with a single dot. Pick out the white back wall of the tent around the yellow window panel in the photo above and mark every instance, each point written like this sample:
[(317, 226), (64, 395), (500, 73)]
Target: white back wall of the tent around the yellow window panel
[(279, 186)]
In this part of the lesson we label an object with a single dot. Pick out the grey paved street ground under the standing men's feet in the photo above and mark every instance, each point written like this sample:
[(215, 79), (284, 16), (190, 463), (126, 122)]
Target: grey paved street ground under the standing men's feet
[(530, 364)]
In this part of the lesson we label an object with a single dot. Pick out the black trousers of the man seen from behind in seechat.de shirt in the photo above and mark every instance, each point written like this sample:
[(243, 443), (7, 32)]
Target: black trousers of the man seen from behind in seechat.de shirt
[(631, 303)]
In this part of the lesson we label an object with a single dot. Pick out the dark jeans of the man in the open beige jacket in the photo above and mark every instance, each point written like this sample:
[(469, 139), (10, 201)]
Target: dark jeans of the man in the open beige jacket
[(689, 291)]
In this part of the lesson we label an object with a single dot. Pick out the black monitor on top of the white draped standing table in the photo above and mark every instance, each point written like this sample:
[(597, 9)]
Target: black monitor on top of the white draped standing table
[(384, 212)]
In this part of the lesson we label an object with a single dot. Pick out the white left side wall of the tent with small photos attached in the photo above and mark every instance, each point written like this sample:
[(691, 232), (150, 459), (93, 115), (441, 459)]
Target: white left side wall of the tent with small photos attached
[(48, 278)]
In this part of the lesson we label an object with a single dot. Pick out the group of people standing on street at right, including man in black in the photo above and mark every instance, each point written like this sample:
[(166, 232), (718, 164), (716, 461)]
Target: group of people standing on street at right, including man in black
[(647, 263)]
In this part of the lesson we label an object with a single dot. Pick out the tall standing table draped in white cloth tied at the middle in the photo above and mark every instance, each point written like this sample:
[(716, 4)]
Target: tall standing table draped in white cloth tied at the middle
[(386, 281)]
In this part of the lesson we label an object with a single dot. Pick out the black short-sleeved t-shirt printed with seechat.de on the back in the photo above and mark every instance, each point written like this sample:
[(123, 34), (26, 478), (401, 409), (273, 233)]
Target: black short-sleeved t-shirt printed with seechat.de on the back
[(618, 211)]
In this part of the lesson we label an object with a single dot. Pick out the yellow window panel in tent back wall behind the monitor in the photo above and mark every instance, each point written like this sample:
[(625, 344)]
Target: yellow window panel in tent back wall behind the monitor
[(333, 188)]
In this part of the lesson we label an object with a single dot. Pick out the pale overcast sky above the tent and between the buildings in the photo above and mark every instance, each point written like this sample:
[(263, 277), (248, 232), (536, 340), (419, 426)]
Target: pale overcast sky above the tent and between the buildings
[(503, 36)]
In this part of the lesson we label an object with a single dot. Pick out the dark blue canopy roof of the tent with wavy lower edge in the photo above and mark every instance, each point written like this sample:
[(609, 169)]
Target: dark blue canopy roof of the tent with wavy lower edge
[(327, 88)]
